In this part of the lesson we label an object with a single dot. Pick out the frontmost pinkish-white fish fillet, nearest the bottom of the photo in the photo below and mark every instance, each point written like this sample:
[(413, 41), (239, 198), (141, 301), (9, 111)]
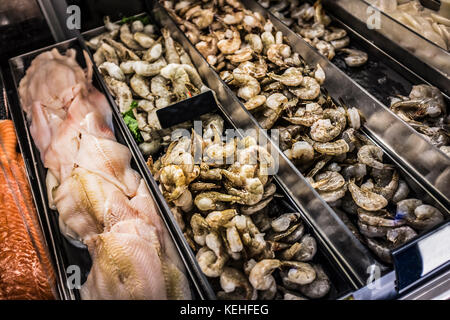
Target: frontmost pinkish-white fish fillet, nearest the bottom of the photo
[(125, 267)]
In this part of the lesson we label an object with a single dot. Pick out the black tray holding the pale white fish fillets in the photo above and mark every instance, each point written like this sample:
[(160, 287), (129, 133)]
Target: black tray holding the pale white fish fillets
[(65, 252)]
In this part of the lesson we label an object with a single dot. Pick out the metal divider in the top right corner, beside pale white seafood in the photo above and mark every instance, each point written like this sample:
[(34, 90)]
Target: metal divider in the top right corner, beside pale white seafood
[(421, 55)]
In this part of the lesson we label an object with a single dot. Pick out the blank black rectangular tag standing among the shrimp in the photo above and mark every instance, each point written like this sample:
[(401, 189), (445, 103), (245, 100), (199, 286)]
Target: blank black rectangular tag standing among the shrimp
[(187, 110)]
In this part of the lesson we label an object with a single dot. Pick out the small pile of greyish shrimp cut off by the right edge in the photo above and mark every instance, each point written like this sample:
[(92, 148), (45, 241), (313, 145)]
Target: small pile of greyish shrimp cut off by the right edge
[(425, 110)]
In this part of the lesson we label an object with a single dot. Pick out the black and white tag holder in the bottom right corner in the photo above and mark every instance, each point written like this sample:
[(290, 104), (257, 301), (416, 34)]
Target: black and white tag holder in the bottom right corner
[(422, 258)]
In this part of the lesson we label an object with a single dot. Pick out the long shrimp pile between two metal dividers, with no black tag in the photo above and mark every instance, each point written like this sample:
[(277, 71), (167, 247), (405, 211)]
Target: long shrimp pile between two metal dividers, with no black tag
[(321, 137)]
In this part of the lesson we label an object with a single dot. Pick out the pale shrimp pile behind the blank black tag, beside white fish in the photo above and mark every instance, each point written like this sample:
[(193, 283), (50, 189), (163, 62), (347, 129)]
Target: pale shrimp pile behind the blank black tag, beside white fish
[(139, 65)]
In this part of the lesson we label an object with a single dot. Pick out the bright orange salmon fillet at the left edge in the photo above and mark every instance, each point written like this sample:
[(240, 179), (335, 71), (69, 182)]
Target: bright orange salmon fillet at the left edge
[(25, 268)]
